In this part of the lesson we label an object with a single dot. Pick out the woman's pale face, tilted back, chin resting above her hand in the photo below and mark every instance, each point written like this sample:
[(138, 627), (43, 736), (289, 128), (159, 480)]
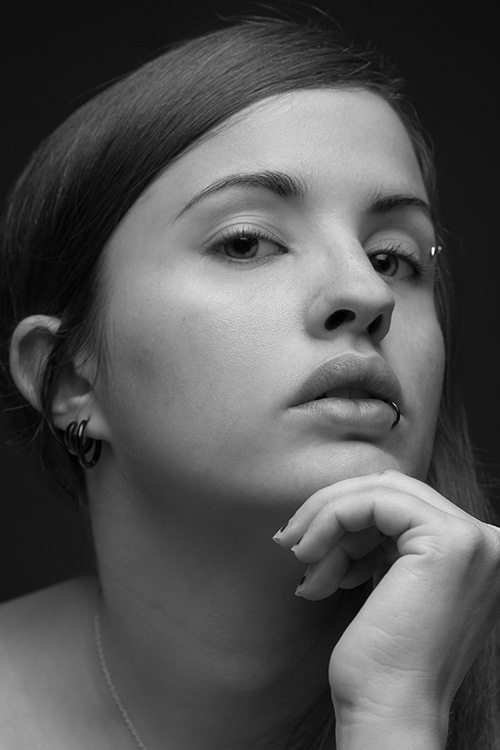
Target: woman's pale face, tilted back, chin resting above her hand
[(294, 238)]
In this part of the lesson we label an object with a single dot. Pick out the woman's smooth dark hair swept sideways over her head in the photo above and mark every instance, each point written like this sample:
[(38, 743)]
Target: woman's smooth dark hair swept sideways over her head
[(84, 178)]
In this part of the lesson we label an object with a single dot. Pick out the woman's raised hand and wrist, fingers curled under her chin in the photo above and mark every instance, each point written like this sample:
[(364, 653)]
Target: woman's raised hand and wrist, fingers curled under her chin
[(400, 662)]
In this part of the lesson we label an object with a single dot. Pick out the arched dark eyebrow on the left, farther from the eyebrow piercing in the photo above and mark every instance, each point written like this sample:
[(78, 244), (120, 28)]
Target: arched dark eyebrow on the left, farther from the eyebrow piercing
[(283, 185)]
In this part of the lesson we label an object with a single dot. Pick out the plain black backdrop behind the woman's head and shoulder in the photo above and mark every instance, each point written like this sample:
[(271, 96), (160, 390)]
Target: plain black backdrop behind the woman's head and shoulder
[(55, 56)]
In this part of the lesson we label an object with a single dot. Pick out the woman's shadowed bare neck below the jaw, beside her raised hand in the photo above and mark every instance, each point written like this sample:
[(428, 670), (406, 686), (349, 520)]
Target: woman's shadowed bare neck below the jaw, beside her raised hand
[(206, 642)]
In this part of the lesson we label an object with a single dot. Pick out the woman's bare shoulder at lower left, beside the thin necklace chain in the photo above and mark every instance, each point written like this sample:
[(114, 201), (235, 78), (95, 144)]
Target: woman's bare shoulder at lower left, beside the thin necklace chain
[(44, 643)]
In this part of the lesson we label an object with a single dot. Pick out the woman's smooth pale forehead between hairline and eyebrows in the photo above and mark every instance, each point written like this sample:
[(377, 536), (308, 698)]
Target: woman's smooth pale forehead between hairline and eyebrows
[(339, 142)]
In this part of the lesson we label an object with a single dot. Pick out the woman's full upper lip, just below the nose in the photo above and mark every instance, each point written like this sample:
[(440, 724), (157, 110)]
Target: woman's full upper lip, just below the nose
[(369, 373)]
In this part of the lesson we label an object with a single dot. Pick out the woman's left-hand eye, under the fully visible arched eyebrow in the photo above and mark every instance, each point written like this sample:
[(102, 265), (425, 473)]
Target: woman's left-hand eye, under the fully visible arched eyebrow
[(246, 244)]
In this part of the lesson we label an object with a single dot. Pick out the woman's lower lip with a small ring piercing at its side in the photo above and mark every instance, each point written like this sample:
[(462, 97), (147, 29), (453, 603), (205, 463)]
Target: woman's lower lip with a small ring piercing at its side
[(353, 417)]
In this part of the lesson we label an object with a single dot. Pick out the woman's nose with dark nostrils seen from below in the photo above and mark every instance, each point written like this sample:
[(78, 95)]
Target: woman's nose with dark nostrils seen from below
[(351, 296)]
